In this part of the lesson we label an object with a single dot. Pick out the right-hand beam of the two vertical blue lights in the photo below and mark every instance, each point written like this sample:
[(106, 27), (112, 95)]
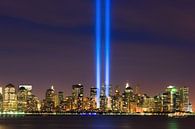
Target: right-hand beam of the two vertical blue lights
[(107, 46)]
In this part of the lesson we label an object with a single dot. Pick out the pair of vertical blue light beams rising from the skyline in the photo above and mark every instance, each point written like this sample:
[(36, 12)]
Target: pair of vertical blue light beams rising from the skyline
[(98, 47)]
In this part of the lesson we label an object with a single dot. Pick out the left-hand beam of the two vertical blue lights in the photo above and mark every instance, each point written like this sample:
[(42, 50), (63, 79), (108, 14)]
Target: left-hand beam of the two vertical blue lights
[(98, 50)]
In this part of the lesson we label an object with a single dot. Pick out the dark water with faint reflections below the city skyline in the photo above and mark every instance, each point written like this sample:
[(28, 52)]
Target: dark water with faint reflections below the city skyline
[(97, 122)]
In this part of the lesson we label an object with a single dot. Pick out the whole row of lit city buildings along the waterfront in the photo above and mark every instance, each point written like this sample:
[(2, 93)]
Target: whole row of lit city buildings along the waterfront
[(21, 99)]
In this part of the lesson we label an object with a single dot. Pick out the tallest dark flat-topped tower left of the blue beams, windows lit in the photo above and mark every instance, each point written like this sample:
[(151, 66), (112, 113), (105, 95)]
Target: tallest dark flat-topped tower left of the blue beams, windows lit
[(77, 94)]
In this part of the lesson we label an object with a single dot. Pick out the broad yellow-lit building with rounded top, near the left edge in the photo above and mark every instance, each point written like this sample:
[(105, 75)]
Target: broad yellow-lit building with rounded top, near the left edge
[(9, 99)]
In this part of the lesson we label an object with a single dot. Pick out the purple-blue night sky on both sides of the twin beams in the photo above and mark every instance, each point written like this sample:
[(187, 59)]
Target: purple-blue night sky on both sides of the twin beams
[(52, 42)]
